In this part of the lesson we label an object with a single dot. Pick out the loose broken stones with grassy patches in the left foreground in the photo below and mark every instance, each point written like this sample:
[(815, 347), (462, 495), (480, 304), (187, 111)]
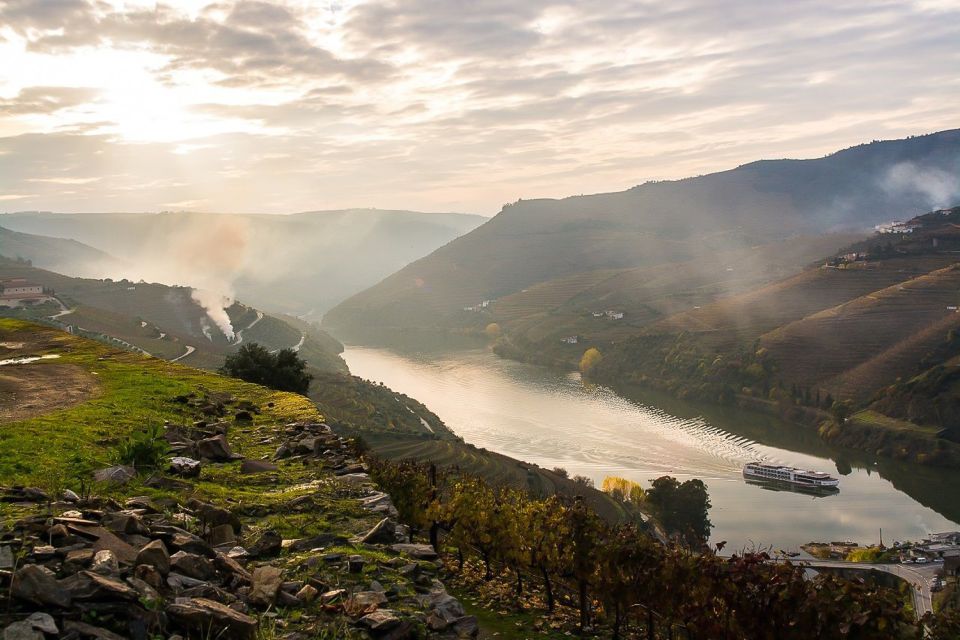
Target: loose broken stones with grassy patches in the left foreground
[(223, 543)]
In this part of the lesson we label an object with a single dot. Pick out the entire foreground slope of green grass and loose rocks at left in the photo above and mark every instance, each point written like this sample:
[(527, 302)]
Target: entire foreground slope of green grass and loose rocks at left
[(106, 550)]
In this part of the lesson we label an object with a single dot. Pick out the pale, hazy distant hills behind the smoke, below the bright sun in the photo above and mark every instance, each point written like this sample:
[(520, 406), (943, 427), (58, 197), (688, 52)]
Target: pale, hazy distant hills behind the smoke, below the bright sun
[(301, 264)]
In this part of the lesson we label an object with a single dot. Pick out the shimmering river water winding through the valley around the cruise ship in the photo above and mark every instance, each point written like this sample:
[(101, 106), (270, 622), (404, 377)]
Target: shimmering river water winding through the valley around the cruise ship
[(553, 419)]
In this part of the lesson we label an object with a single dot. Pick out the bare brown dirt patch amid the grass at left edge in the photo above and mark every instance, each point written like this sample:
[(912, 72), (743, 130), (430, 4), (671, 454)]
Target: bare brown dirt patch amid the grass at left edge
[(28, 390)]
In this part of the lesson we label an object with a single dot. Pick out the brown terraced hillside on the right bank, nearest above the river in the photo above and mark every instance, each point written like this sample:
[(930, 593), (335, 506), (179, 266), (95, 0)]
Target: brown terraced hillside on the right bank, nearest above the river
[(874, 326)]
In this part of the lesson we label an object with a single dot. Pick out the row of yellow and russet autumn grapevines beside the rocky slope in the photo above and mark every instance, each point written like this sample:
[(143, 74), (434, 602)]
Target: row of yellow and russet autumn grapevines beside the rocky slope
[(621, 579)]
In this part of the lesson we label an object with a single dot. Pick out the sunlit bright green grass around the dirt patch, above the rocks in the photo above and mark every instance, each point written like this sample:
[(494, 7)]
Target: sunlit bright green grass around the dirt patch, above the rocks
[(135, 392)]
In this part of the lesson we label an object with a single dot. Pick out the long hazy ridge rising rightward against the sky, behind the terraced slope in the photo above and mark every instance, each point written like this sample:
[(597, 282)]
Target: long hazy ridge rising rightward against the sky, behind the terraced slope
[(534, 241)]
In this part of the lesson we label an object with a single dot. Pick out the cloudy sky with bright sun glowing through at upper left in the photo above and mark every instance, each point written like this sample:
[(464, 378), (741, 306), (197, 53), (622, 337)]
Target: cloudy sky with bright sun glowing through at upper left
[(444, 105)]
